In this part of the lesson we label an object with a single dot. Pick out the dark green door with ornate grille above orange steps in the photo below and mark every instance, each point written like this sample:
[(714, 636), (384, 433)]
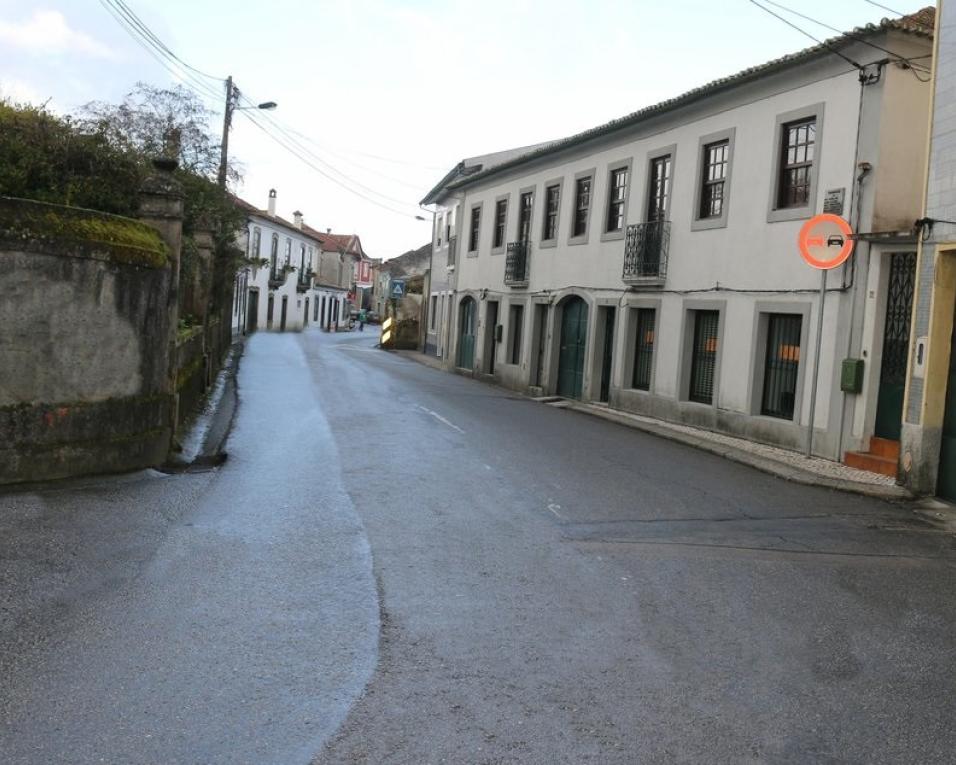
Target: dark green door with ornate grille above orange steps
[(896, 341)]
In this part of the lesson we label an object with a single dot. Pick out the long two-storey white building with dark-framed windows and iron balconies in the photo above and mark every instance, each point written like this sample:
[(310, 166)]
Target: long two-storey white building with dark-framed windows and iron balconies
[(652, 262)]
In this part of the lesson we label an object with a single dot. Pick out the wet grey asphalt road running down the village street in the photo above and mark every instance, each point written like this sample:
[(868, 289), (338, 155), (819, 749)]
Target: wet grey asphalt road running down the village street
[(398, 565)]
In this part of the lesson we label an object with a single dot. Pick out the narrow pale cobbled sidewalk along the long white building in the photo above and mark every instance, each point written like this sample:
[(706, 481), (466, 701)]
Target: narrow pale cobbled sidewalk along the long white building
[(790, 465)]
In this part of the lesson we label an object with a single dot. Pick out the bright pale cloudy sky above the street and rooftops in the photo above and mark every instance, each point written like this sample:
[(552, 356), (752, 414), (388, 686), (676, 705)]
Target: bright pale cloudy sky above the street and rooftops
[(387, 95)]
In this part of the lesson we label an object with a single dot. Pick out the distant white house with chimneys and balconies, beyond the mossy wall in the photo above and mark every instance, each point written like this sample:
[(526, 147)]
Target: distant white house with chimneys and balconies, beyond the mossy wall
[(275, 290)]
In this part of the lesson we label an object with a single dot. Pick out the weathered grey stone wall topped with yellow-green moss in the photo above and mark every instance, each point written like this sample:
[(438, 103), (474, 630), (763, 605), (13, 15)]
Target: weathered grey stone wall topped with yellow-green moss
[(85, 382)]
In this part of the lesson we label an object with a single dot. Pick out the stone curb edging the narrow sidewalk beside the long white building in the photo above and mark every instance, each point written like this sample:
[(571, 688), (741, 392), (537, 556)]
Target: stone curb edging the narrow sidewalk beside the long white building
[(765, 464)]
